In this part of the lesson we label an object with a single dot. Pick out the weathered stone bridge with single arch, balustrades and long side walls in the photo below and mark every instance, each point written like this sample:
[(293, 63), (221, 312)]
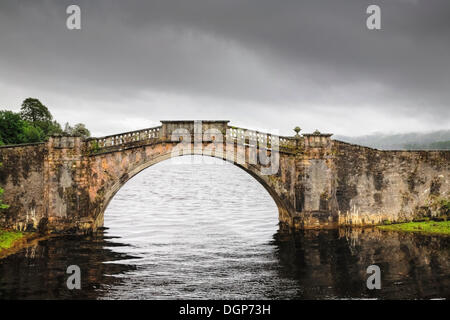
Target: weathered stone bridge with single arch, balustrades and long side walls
[(66, 183)]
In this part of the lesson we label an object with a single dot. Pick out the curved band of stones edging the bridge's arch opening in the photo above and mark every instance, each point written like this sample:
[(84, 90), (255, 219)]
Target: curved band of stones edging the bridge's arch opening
[(249, 168)]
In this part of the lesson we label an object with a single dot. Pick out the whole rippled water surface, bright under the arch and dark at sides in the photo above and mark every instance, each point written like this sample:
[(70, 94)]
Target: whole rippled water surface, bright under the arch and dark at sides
[(210, 231)]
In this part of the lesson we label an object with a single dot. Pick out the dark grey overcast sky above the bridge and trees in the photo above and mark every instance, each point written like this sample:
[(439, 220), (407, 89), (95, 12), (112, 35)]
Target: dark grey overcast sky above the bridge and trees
[(262, 64)]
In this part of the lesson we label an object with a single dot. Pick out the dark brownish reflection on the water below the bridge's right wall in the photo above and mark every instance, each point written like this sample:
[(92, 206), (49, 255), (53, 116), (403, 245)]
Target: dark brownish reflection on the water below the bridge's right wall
[(332, 264)]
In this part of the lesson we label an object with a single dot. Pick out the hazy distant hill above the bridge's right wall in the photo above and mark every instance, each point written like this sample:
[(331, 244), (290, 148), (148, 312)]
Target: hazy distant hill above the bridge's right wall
[(437, 140)]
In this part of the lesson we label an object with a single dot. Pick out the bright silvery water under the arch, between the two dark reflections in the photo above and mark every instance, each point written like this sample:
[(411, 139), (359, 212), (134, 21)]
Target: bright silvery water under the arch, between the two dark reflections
[(190, 222)]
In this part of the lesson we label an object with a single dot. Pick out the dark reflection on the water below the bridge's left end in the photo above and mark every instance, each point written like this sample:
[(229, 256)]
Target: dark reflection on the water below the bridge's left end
[(39, 272)]
